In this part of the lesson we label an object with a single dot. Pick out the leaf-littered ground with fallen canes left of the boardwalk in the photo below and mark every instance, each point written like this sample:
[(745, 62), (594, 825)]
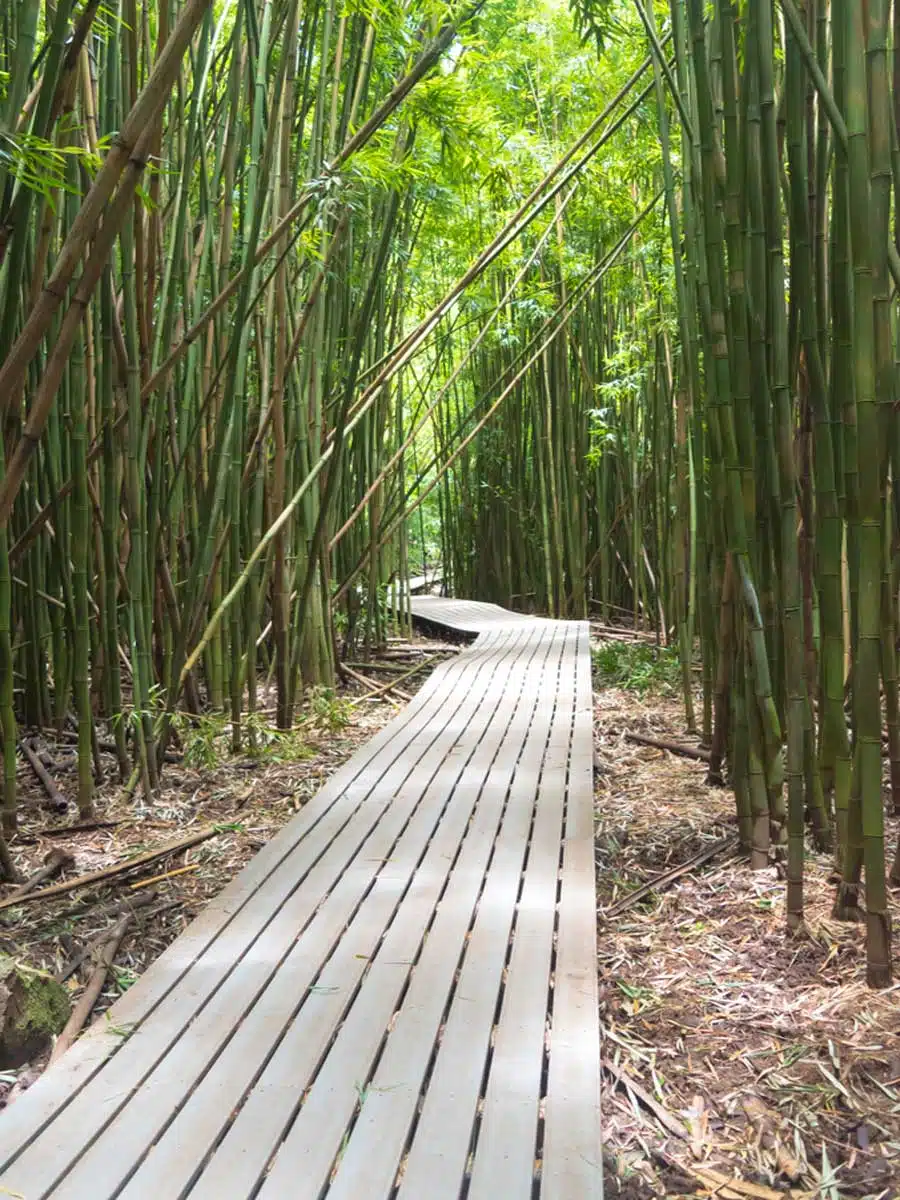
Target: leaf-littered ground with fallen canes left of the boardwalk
[(239, 802)]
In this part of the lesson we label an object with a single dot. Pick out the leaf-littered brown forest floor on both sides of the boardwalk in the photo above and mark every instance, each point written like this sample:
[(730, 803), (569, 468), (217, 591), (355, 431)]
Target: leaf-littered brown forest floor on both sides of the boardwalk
[(737, 1061)]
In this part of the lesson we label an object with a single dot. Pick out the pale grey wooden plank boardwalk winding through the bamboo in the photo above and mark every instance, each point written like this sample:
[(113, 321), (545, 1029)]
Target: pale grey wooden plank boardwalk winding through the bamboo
[(397, 998)]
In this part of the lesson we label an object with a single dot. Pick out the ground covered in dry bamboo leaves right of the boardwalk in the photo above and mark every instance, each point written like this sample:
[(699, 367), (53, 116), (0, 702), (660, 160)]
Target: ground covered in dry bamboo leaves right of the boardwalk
[(739, 1061)]
